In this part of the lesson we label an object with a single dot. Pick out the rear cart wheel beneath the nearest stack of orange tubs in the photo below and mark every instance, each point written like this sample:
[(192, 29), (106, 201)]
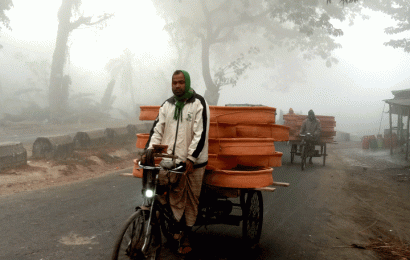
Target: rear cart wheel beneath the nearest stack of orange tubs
[(252, 214)]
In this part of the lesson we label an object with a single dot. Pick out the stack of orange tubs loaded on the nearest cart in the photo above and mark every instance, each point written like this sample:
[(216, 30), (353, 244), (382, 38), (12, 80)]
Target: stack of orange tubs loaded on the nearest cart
[(241, 145)]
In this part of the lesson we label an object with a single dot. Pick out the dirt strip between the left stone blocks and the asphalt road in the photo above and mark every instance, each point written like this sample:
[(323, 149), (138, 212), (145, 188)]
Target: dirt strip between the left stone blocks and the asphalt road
[(84, 164)]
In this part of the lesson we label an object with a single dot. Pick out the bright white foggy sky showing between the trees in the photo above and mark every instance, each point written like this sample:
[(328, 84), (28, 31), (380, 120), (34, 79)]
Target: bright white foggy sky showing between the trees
[(352, 91)]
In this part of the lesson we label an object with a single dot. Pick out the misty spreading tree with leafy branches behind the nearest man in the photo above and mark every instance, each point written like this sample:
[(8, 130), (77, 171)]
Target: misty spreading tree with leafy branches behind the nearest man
[(238, 28)]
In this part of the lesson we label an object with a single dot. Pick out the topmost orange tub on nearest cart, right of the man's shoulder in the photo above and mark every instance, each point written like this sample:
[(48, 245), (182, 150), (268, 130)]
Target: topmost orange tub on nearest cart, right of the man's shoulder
[(242, 115)]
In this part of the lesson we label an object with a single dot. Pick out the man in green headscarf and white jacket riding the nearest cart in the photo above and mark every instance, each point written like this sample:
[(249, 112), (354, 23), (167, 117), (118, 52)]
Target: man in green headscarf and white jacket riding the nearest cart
[(183, 125)]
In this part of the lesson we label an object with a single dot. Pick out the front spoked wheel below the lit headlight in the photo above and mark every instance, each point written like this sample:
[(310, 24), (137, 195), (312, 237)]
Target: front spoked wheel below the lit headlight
[(131, 239)]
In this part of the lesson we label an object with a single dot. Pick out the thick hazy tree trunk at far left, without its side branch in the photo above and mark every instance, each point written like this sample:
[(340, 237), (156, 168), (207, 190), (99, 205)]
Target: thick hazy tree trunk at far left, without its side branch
[(56, 103)]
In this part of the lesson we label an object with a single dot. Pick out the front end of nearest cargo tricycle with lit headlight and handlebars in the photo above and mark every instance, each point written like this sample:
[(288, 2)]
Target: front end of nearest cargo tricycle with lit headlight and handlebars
[(140, 237)]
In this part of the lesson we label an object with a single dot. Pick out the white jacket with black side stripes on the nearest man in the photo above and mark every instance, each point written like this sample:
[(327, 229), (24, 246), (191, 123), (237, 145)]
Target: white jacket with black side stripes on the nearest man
[(193, 130)]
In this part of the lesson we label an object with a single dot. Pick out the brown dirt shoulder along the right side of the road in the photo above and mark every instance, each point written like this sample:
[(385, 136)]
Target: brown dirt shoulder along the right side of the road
[(370, 204)]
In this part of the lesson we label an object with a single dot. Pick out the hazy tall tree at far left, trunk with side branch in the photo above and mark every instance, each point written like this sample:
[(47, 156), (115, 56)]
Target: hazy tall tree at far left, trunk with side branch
[(69, 9)]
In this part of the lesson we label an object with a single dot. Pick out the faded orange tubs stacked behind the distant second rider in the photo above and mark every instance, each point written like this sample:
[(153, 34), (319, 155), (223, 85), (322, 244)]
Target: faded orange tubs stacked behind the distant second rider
[(295, 122)]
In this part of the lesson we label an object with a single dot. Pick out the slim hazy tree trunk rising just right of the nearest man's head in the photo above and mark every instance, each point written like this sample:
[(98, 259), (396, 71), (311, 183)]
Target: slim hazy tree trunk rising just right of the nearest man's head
[(212, 91)]
